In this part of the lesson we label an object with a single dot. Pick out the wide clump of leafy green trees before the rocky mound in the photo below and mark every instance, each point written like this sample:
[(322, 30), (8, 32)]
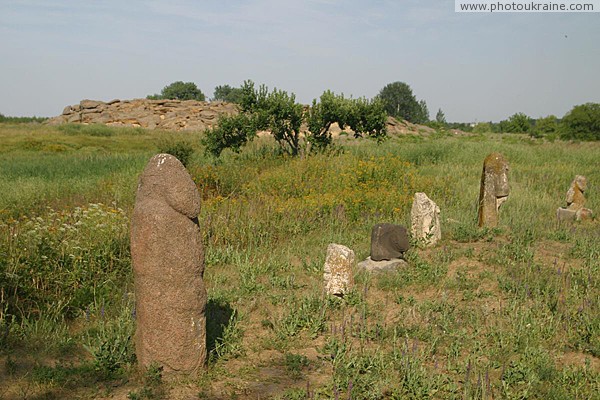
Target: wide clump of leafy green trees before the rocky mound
[(278, 112)]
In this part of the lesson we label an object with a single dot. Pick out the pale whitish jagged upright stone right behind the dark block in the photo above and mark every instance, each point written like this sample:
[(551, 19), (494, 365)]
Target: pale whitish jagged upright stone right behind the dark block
[(425, 220)]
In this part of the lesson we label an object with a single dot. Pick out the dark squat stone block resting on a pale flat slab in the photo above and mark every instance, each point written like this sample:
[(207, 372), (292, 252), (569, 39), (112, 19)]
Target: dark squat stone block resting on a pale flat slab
[(388, 241)]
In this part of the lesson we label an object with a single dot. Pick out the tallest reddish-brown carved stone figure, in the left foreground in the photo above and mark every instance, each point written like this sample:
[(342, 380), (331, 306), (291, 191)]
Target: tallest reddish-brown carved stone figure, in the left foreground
[(168, 266)]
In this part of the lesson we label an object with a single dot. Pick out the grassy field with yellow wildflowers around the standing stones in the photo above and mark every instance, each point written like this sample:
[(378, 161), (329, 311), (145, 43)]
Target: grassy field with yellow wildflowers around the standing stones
[(509, 313)]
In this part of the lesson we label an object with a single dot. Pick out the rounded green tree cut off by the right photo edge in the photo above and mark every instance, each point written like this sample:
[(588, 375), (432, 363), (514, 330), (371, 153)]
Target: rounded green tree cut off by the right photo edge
[(582, 122)]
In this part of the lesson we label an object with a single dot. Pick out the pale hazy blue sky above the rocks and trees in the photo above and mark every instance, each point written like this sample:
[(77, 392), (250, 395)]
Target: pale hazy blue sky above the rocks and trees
[(473, 66)]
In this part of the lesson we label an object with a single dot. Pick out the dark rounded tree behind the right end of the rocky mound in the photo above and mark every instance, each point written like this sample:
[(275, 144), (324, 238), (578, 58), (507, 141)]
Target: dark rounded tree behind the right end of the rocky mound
[(400, 102)]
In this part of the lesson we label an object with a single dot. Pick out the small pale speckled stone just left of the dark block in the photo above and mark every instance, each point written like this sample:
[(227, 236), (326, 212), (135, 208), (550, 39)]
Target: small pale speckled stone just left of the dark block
[(337, 274)]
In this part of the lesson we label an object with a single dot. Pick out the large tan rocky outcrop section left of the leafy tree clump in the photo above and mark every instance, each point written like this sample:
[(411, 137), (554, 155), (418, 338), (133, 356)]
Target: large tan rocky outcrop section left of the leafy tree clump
[(152, 114)]
